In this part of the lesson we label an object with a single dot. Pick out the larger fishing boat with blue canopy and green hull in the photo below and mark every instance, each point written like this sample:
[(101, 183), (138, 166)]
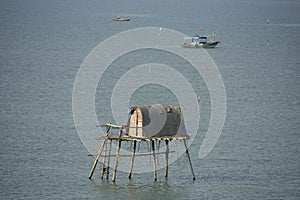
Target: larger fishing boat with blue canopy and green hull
[(200, 41)]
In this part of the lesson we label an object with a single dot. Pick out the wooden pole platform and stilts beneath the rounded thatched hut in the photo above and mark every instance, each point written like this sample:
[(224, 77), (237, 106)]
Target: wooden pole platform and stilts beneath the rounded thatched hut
[(105, 151)]
